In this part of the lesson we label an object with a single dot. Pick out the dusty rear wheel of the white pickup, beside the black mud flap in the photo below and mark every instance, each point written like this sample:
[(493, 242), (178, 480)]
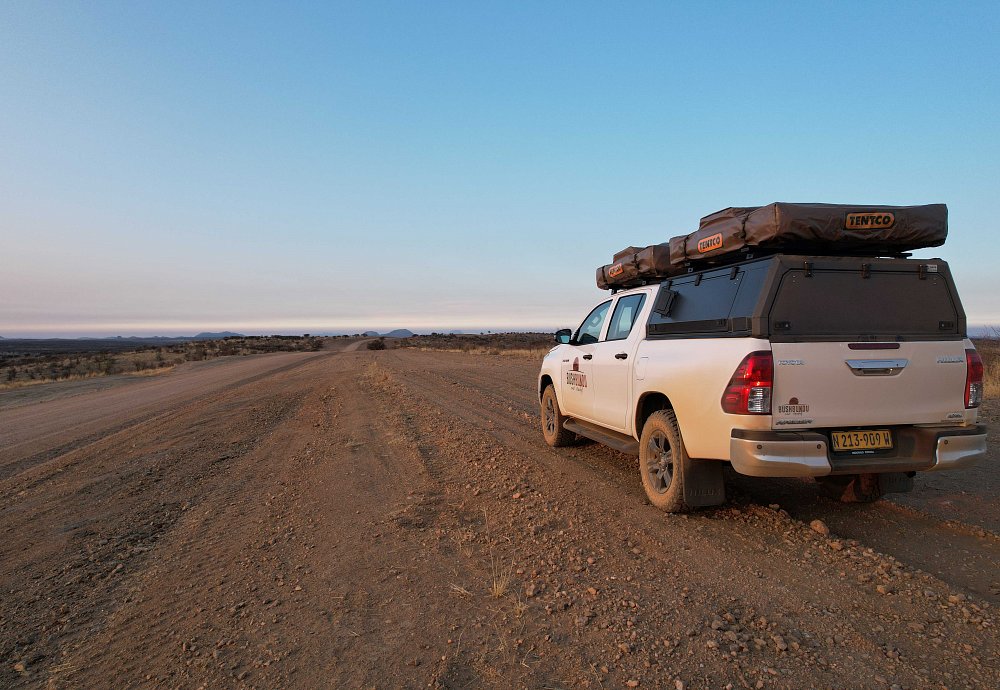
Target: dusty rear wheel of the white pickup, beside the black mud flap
[(662, 461)]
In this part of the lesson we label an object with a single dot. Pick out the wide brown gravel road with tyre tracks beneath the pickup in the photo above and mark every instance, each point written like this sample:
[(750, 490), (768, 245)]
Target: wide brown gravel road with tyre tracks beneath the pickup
[(393, 519)]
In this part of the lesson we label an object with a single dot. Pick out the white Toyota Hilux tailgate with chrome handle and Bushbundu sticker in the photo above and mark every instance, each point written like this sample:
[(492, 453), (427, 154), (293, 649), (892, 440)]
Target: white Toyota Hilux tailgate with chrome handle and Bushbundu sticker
[(829, 384)]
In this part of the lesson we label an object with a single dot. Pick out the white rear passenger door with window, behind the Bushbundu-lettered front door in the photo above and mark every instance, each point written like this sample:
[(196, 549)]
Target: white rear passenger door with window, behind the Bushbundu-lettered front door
[(613, 362)]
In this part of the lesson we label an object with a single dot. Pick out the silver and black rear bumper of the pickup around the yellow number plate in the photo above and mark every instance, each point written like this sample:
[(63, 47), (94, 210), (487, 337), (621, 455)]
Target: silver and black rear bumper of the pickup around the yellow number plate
[(808, 454)]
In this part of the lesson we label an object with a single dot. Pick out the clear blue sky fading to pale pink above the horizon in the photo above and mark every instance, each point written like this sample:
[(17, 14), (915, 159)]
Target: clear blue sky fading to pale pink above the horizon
[(172, 167)]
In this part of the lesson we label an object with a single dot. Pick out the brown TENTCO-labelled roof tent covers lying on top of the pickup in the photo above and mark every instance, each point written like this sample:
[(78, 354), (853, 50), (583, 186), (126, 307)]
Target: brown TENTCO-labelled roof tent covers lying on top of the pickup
[(732, 234)]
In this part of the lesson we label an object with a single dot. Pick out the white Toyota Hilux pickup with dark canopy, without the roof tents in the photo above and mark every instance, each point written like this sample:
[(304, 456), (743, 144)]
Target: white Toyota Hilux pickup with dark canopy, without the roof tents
[(856, 371)]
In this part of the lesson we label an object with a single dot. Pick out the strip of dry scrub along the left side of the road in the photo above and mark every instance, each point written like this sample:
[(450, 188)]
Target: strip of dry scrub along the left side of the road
[(28, 367)]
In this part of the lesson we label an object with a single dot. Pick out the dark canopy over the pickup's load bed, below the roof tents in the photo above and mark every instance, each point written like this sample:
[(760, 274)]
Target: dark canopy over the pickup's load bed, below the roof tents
[(800, 298)]
